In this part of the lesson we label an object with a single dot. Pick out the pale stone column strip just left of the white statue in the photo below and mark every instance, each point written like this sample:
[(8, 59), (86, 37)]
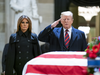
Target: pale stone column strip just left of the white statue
[(9, 18)]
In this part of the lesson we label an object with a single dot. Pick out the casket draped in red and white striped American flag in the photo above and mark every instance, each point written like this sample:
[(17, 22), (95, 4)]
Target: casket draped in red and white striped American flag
[(57, 63)]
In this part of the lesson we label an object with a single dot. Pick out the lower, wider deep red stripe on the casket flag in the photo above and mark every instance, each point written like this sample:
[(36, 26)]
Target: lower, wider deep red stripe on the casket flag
[(55, 69)]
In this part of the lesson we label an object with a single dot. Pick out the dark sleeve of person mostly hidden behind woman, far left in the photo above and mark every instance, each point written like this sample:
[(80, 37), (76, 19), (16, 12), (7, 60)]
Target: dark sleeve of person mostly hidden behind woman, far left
[(4, 56)]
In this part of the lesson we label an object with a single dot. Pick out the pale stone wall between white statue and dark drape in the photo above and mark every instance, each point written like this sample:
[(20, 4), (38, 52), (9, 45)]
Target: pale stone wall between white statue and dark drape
[(46, 10)]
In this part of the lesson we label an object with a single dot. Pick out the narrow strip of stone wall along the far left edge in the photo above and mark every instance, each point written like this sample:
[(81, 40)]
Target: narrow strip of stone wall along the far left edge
[(2, 29)]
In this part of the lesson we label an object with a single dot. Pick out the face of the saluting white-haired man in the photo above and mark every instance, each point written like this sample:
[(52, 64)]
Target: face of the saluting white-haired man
[(66, 21)]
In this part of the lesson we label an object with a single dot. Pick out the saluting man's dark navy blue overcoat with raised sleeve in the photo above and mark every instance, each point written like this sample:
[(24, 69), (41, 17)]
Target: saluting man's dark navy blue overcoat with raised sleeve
[(56, 39)]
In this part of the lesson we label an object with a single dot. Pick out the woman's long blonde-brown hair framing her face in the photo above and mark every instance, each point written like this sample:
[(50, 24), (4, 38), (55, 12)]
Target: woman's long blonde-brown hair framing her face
[(20, 20)]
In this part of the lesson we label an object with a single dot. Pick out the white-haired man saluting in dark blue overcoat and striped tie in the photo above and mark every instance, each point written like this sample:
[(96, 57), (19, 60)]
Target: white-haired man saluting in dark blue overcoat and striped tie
[(57, 36)]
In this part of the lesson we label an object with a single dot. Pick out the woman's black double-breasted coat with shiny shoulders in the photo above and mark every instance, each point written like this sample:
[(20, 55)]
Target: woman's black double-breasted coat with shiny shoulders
[(11, 60)]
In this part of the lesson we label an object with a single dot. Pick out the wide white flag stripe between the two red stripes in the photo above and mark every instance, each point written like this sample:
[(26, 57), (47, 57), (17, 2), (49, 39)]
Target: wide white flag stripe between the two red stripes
[(60, 61)]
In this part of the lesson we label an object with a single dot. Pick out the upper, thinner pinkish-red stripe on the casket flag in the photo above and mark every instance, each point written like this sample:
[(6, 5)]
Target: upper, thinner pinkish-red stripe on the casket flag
[(60, 56)]
